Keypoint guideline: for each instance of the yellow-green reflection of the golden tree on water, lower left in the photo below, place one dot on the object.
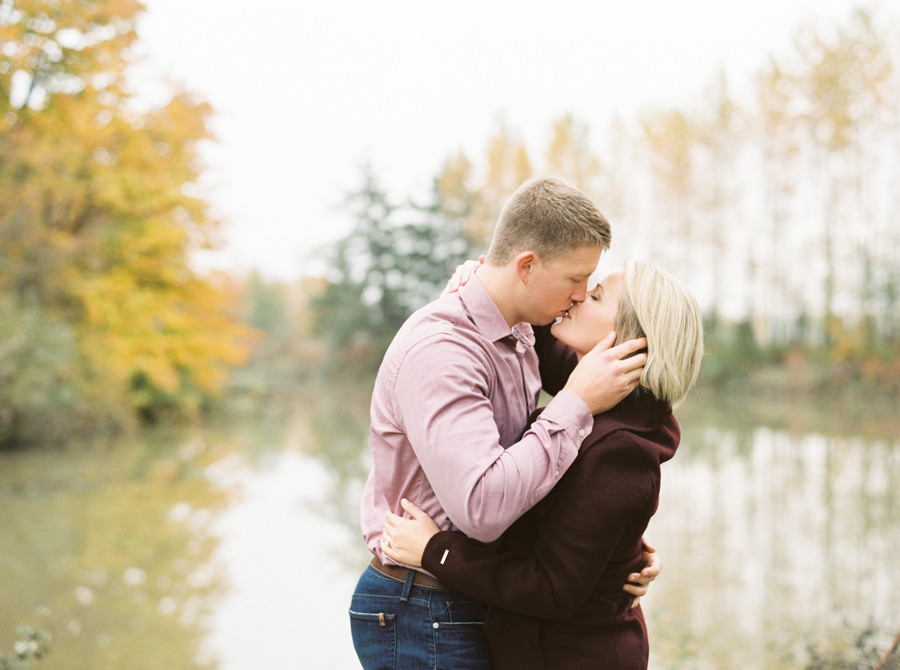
(108, 547)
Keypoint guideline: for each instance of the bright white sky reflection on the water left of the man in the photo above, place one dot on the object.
(291, 570)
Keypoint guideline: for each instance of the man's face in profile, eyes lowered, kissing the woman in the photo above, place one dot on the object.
(556, 284)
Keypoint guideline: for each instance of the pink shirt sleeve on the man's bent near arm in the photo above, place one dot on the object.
(449, 420)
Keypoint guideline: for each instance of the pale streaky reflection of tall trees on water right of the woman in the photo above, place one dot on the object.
(774, 546)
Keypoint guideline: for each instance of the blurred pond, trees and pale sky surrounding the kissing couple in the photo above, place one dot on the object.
(214, 217)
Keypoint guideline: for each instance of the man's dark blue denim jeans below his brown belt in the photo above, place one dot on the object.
(399, 626)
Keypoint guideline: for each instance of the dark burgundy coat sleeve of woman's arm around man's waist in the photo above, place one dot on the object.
(600, 495)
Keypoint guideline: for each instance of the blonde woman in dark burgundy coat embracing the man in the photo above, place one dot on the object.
(554, 584)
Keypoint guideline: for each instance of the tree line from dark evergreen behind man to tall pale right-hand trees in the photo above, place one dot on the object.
(780, 209)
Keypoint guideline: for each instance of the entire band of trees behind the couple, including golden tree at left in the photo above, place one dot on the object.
(779, 208)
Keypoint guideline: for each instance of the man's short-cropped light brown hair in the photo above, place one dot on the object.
(548, 216)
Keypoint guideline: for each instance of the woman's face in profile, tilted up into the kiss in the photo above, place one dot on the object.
(585, 324)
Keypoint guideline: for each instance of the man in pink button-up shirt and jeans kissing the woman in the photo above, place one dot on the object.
(449, 415)
